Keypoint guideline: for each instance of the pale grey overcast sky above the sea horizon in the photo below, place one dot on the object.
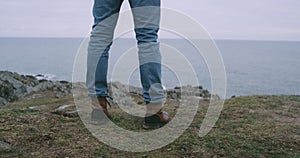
(224, 19)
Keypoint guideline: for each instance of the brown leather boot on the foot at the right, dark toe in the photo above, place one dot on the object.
(156, 121)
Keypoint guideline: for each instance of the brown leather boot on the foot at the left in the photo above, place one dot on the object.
(99, 111)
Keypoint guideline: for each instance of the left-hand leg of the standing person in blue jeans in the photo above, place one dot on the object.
(105, 19)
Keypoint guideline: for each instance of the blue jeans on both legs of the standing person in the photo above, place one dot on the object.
(146, 22)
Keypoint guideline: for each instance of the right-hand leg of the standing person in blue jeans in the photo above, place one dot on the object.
(146, 15)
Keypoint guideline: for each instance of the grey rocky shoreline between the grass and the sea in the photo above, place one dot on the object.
(14, 86)
